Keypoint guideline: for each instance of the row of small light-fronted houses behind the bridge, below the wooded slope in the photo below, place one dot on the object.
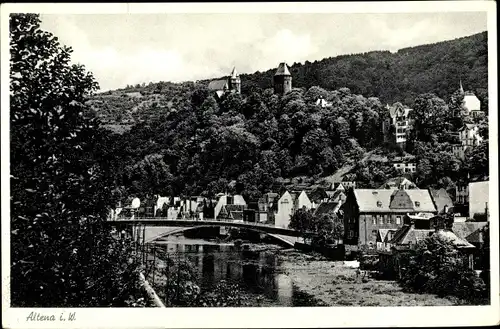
(271, 208)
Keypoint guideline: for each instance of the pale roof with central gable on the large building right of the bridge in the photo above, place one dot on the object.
(379, 200)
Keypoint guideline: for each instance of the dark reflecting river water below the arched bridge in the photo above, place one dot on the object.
(256, 268)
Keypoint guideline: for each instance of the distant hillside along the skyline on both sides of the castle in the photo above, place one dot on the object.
(391, 77)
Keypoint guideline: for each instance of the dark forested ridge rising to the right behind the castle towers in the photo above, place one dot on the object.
(401, 76)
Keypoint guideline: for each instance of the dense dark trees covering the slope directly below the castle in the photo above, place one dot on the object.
(251, 140)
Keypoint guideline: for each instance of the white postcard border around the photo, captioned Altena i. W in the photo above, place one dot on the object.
(279, 317)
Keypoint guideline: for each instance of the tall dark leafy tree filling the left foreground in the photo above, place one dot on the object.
(61, 254)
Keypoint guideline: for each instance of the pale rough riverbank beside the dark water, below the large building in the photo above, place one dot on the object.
(333, 284)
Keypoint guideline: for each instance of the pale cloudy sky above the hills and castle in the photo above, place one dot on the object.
(121, 49)
